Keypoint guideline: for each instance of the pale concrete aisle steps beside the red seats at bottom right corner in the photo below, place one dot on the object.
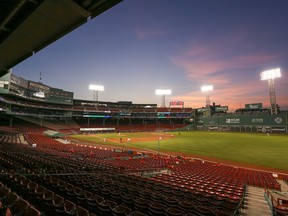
(255, 203)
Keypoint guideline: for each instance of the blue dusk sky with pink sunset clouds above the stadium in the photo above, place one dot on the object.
(139, 46)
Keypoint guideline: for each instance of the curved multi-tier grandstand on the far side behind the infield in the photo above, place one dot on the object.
(56, 109)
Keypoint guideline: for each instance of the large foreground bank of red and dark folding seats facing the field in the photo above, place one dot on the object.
(72, 179)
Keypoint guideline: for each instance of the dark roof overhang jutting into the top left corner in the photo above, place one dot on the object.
(27, 26)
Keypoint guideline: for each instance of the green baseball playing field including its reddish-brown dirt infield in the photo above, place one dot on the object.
(255, 149)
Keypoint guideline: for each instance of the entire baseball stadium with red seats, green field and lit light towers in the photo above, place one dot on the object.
(65, 156)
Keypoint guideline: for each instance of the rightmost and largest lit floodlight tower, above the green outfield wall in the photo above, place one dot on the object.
(270, 75)
